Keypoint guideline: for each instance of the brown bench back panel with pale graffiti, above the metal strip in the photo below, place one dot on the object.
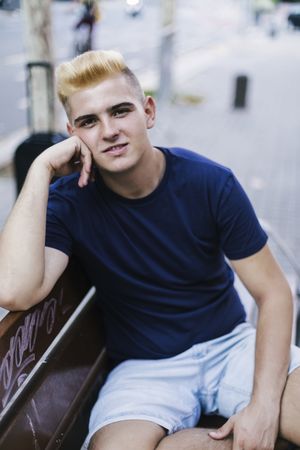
(24, 337)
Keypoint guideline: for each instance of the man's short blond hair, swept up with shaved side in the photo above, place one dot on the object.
(89, 69)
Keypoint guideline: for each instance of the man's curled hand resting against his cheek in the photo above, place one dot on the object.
(66, 157)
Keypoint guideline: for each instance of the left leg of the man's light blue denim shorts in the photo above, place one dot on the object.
(159, 391)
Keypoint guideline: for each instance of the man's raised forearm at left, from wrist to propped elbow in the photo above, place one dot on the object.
(22, 241)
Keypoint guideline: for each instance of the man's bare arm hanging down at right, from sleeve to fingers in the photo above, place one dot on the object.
(256, 426)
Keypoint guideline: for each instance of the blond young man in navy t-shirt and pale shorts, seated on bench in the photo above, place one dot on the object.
(152, 227)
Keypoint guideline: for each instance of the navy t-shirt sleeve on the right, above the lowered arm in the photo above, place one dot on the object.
(241, 234)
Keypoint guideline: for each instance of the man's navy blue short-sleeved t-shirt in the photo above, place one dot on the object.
(158, 262)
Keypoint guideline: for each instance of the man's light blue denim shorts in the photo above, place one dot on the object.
(214, 377)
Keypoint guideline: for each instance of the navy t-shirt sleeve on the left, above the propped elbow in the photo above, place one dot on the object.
(57, 234)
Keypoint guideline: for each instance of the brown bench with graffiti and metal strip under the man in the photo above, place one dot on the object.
(52, 363)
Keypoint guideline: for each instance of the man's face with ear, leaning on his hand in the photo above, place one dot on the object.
(112, 121)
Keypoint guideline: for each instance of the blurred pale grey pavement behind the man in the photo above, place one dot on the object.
(260, 143)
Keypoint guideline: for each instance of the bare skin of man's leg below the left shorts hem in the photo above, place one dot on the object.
(128, 435)
